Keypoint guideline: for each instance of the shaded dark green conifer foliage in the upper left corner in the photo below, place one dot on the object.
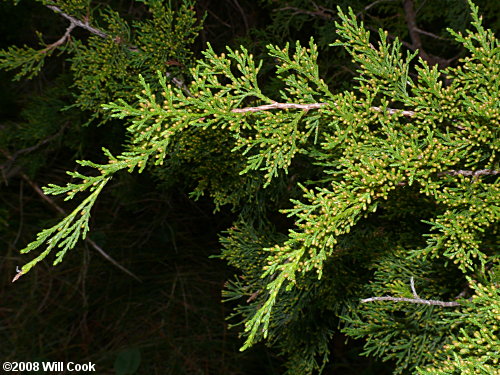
(106, 65)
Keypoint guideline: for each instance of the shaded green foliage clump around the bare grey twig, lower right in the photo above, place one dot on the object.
(407, 333)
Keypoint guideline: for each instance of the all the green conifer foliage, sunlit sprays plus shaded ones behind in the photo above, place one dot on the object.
(394, 190)
